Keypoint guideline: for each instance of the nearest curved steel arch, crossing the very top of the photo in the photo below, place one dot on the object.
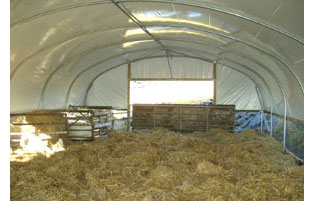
(214, 8)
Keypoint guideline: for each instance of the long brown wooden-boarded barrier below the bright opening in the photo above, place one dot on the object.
(180, 118)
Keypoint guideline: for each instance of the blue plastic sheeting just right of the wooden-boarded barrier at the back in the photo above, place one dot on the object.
(253, 120)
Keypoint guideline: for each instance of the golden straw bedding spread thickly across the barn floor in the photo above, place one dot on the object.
(163, 165)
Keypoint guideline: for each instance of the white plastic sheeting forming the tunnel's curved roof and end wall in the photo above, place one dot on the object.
(75, 52)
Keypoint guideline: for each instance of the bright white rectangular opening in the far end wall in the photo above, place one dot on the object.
(172, 92)
